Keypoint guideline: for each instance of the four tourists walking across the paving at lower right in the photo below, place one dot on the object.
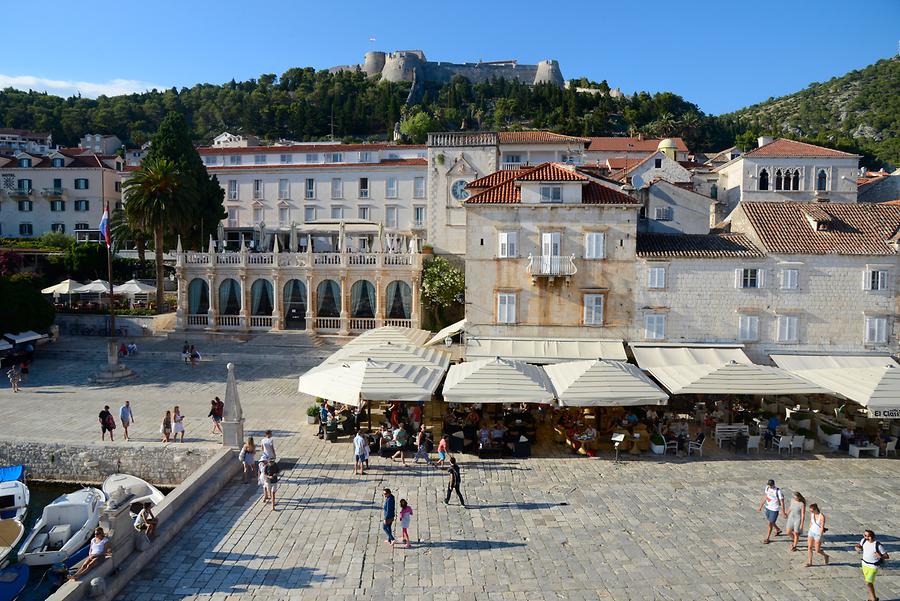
(873, 552)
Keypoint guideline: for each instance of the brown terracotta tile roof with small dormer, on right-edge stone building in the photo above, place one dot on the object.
(851, 229)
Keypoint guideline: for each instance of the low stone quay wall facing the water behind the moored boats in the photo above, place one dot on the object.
(159, 464)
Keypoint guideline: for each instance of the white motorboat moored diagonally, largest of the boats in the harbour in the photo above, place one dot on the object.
(66, 525)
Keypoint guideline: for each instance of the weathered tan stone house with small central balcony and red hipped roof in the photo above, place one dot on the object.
(549, 254)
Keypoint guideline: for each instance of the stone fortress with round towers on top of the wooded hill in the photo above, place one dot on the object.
(411, 65)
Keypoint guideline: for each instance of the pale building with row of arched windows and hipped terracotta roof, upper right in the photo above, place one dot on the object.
(787, 170)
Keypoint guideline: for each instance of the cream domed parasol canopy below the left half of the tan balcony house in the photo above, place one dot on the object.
(497, 381)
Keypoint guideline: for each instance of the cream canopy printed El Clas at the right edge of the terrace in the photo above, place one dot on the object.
(872, 381)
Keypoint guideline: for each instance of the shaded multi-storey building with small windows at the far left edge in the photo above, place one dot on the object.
(60, 192)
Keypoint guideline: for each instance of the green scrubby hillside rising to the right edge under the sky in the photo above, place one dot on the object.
(858, 110)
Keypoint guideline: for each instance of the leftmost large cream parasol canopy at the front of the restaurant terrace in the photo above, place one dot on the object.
(371, 380)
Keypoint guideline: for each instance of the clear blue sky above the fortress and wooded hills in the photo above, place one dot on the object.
(721, 55)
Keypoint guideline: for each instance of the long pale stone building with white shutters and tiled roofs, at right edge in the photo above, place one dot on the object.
(786, 277)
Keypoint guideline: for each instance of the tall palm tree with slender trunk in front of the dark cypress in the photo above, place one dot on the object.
(157, 200)
